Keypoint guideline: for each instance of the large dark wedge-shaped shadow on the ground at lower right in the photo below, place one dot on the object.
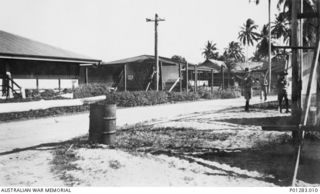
(275, 161)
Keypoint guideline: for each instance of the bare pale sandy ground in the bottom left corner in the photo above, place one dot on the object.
(28, 168)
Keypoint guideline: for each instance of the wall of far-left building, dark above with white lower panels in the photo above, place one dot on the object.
(26, 72)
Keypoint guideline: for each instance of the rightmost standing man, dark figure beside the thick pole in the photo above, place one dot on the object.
(282, 86)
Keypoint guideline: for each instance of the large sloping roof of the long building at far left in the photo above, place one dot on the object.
(18, 47)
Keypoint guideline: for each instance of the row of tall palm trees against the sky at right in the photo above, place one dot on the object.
(250, 36)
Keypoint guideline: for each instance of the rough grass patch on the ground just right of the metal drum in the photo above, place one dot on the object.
(181, 140)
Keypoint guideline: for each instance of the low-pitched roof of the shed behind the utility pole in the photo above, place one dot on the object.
(139, 59)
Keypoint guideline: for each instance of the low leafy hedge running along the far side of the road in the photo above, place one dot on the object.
(125, 99)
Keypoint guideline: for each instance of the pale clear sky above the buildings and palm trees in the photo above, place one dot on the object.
(117, 29)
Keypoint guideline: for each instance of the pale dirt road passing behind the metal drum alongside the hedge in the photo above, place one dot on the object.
(22, 134)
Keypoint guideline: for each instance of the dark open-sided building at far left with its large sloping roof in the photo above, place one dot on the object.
(22, 58)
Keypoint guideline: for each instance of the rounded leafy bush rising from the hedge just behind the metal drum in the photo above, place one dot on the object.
(89, 90)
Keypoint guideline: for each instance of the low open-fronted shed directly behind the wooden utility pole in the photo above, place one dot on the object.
(133, 74)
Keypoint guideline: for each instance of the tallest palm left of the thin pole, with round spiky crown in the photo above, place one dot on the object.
(248, 34)
